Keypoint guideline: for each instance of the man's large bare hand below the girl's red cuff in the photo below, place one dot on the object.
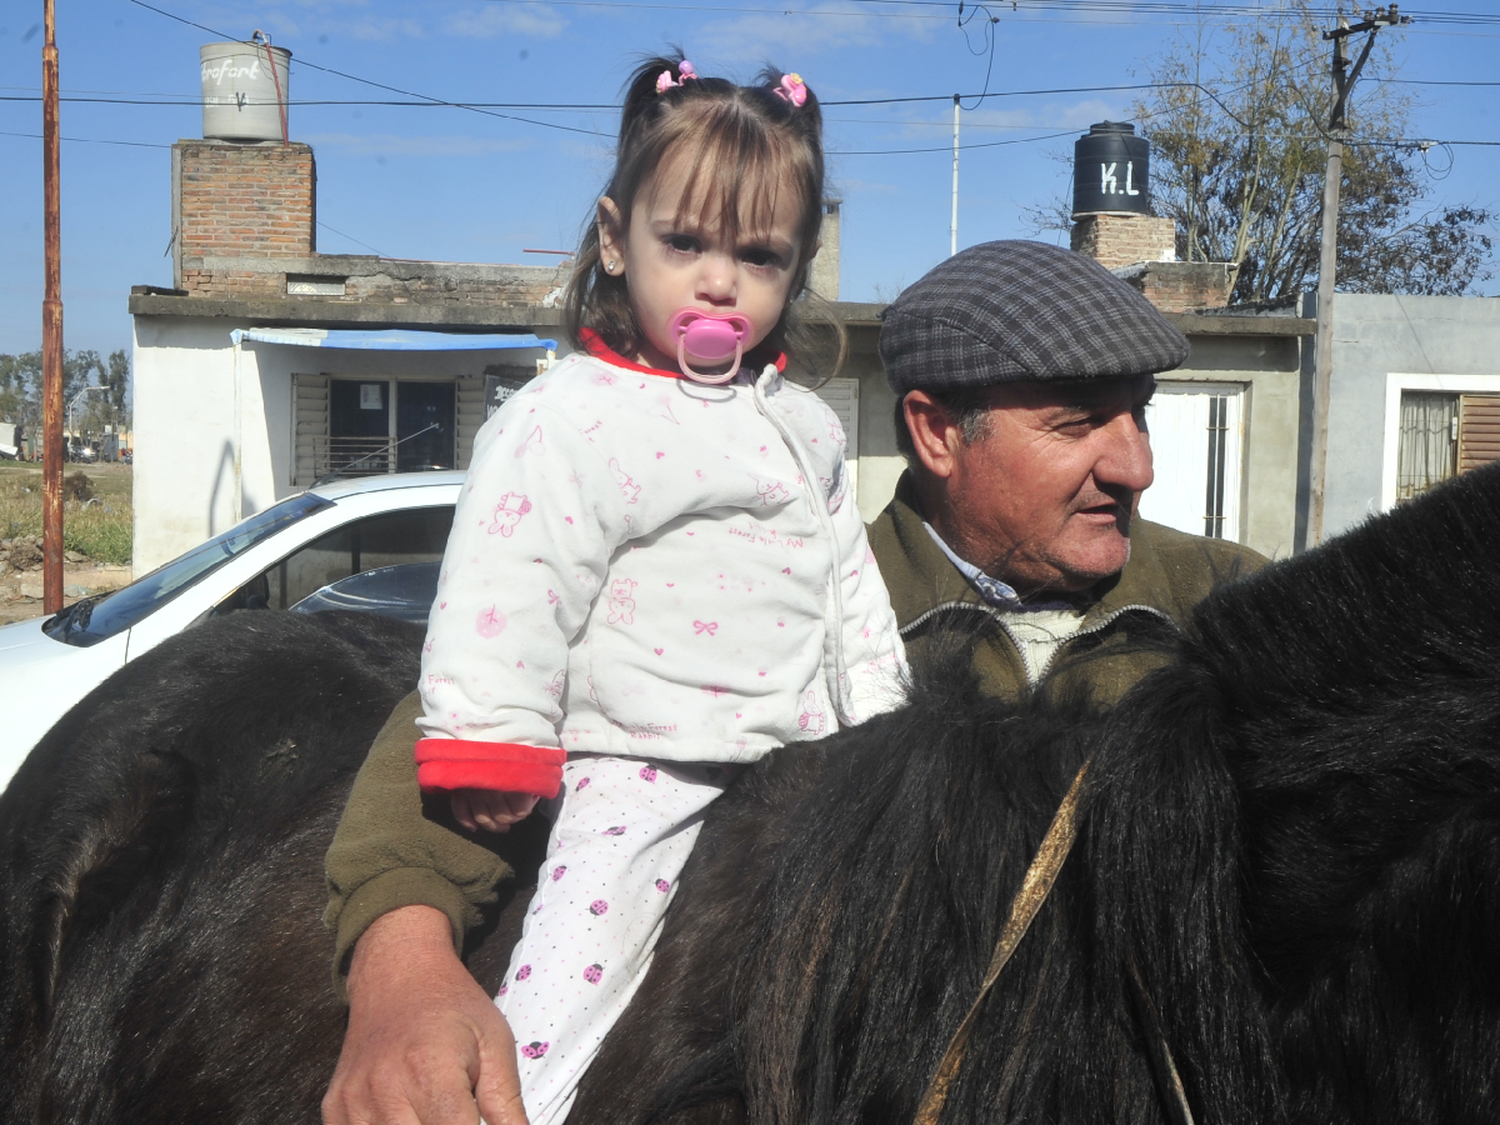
(425, 1043)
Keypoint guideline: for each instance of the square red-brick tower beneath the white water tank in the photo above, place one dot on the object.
(248, 202)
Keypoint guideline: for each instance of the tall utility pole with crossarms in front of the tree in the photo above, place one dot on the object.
(1345, 80)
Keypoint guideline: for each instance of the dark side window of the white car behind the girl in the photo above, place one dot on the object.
(385, 541)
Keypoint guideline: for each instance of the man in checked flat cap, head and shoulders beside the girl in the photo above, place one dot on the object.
(1024, 373)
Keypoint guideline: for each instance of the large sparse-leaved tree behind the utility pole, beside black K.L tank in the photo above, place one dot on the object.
(1238, 158)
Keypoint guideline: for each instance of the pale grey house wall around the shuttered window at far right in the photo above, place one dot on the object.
(1381, 346)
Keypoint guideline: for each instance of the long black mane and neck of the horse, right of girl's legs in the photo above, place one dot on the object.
(1315, 766)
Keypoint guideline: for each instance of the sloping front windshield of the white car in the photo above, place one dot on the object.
(92, 620)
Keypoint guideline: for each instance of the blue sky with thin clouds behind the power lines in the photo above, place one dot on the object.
(446, 184)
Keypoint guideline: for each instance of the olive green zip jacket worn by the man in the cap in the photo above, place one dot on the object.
(394, 850)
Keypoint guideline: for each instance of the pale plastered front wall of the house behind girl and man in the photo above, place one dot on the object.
(185, 443)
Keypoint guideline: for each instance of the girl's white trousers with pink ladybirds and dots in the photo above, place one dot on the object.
(622, 833)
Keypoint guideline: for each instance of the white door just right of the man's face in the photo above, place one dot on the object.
(1198, 445)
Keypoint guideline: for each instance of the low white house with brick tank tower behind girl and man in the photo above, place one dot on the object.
(271, 365)
